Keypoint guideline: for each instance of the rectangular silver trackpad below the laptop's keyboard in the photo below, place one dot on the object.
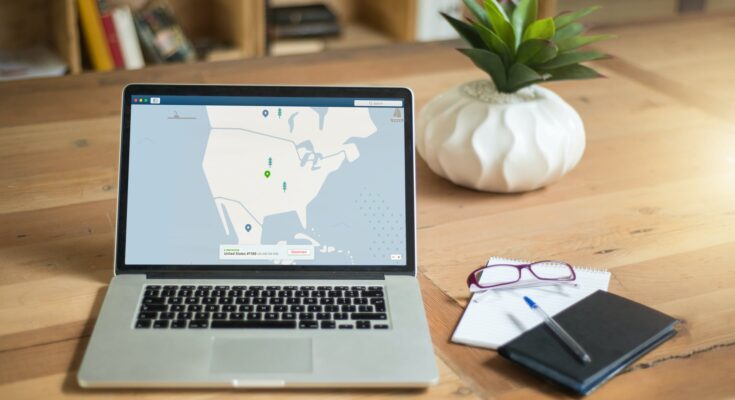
(261, 355)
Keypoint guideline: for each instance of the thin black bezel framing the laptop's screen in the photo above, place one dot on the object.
(267, 91)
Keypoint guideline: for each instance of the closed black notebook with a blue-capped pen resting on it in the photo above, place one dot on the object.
(613, 330)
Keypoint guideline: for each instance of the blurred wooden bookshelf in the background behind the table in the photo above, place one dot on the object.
(237, 29)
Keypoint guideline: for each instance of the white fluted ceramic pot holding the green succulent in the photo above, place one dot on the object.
(482, 139)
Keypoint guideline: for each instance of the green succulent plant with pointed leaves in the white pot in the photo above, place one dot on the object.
(517, 49)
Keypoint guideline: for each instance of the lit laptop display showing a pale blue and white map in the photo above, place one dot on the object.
(223, 180)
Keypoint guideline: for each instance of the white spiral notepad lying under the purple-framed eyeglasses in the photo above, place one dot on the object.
(495, 317)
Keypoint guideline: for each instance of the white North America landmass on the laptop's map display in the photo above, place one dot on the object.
(263, 161)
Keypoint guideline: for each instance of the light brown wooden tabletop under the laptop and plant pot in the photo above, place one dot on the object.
(653, 200)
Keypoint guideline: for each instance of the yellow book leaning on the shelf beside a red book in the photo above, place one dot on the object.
(94, 36)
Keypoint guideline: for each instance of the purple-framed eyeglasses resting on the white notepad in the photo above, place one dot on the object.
(496, 275)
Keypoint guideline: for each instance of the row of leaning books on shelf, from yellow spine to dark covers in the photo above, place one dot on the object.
(117, 38)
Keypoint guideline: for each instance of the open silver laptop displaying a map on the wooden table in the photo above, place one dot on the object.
(265, 238)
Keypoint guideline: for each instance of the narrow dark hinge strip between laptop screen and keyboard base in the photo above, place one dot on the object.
(315, 275)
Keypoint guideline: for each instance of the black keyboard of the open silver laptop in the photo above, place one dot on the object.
(262, 307)
